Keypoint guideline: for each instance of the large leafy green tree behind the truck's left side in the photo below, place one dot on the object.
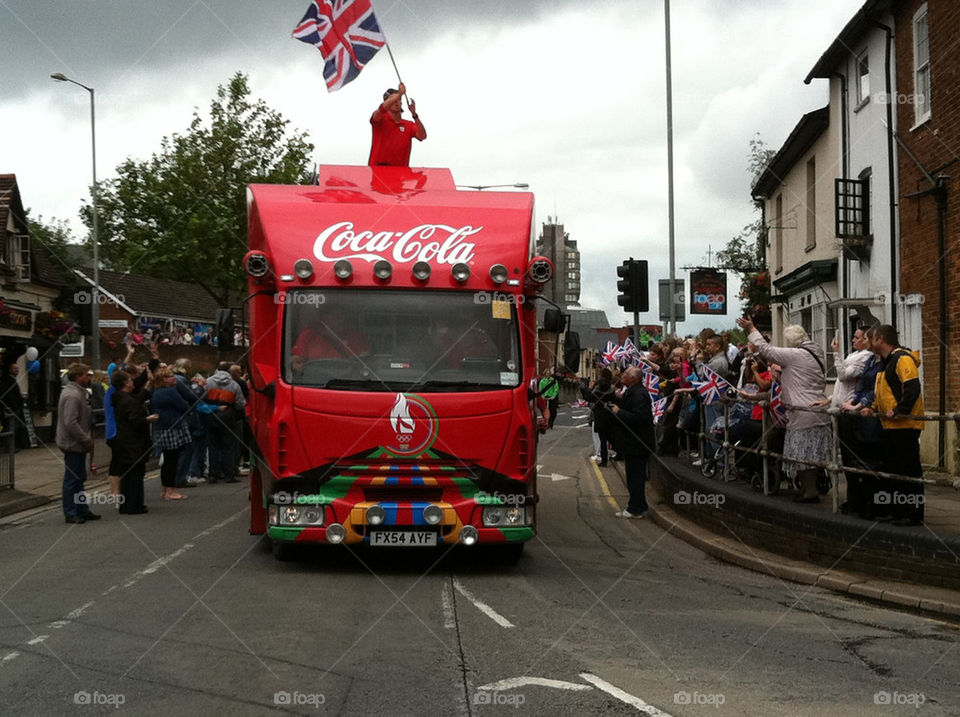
(182, 213)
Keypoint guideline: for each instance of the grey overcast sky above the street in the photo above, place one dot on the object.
(566, 96)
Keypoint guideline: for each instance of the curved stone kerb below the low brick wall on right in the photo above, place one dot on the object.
(730, 550)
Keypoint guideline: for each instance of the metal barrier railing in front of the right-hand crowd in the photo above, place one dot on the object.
(836, 468)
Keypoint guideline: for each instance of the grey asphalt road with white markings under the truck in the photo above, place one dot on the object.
(182, 612)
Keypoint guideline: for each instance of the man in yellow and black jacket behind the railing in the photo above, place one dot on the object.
(898, 397)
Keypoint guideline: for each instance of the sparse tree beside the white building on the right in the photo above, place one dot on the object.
(745, 253)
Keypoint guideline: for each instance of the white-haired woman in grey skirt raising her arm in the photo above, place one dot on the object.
(802, 383)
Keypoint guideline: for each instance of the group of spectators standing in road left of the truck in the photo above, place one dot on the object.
(196, 426)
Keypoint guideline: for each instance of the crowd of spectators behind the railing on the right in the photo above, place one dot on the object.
(876, 397)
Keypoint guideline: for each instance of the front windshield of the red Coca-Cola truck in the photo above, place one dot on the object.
(373, 340)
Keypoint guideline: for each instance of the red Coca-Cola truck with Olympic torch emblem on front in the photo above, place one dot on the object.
(392, 332)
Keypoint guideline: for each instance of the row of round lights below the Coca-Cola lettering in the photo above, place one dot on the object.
(539, 271)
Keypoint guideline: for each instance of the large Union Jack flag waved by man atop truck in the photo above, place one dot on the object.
(346, 33)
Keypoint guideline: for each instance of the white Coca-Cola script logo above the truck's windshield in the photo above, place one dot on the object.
(433, 243)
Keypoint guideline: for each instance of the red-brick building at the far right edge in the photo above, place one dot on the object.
(928, 121)
